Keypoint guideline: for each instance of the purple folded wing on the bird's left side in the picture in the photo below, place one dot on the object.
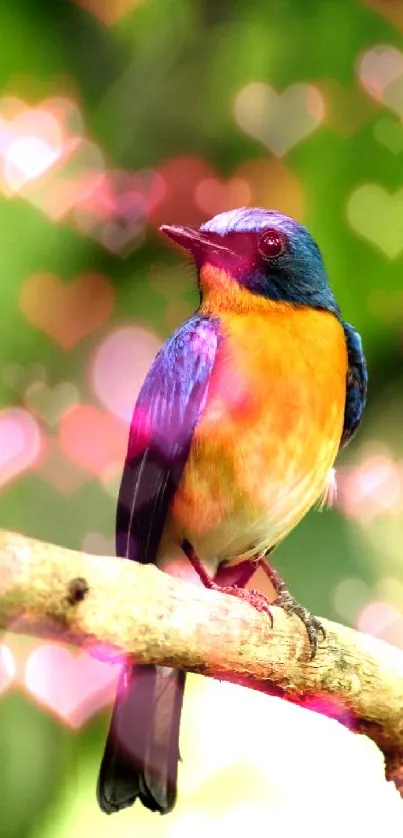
(165, 416)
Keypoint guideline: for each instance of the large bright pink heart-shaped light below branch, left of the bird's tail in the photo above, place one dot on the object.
(73, 685)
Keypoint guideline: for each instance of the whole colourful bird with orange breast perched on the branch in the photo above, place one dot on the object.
(234, 433)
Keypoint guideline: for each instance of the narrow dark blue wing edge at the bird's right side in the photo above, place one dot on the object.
(357, 379)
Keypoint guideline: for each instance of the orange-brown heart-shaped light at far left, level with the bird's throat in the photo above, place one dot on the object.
(67, 311)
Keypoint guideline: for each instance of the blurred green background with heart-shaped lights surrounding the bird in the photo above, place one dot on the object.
(114, 118)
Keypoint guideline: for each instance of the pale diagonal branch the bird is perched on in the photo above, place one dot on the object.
(86, 600)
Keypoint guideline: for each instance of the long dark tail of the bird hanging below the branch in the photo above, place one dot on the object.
(142, 749)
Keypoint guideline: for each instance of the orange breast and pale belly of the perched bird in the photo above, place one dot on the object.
(270, 430)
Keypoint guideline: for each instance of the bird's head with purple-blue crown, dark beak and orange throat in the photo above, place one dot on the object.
(261, 252)
